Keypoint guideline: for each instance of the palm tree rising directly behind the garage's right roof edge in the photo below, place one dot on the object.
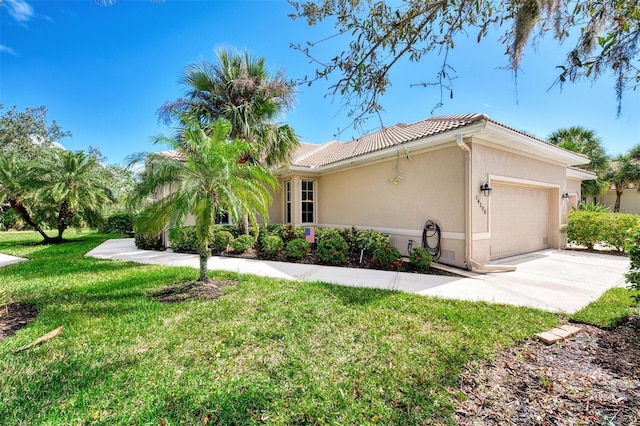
(585, 141)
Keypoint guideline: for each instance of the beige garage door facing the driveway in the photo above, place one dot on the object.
(519, 220)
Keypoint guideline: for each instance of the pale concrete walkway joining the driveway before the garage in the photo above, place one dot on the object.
(553, 280)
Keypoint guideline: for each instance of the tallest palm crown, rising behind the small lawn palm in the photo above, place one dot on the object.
(238, 88)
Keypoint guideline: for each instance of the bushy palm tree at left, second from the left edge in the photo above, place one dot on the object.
(72, 187)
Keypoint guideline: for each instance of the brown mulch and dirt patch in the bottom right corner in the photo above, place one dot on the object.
(591, 378)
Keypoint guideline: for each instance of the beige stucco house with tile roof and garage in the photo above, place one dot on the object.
(397, 179)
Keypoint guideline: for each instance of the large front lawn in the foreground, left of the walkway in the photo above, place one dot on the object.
(268, 351)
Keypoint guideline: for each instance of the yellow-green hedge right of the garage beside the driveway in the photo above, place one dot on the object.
(587, 228)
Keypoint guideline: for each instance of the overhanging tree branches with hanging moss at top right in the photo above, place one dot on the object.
(380, 33)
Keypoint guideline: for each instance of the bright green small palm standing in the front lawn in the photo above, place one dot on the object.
(207, 179)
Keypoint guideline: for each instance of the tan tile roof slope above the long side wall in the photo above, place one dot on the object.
(397, 134)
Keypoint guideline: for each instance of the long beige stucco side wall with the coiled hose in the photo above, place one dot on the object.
(431, 187)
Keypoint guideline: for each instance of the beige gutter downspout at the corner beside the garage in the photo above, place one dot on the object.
(470, 263)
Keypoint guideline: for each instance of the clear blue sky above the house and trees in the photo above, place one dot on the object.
(103, 71)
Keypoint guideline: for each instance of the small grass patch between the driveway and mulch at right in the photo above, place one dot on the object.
(609, 311)
